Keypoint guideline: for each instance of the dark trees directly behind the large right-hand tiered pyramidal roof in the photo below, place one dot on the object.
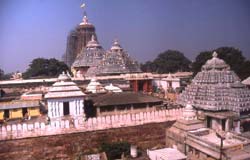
(232, 56)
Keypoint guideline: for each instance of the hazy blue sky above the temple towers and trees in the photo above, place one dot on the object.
(145, 28)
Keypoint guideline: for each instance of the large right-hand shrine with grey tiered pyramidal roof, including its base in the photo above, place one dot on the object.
(219, 96)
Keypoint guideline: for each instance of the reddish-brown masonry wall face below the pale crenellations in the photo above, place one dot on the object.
(71, 146)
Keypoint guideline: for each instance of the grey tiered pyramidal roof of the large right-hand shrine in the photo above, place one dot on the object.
(216, 88)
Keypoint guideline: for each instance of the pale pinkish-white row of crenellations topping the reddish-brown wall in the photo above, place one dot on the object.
(78, 124)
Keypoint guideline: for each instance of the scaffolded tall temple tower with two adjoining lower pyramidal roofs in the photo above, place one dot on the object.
(87, 58)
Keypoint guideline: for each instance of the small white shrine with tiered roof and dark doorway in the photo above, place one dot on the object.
(65, 98)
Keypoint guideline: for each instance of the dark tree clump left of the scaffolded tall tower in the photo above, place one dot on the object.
(41, 67)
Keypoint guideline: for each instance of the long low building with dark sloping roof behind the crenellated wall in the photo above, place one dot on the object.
(123, 103)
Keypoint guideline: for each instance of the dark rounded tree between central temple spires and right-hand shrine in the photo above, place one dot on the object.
(168, 61)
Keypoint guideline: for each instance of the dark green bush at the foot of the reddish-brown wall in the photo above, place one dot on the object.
(115, 150)
